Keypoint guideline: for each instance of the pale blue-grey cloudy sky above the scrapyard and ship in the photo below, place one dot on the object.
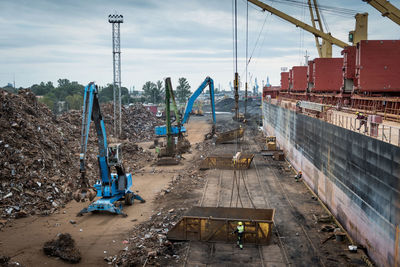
(45, 40)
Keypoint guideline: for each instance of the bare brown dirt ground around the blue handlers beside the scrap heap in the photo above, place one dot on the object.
(97, 235)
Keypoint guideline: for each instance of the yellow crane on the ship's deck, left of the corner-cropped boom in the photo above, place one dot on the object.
(325, 49)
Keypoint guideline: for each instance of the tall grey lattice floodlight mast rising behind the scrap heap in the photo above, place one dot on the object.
(116, 20)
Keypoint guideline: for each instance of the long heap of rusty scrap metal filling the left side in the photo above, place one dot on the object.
(39, 153)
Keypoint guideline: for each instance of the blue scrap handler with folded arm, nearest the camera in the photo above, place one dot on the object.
(111, 187)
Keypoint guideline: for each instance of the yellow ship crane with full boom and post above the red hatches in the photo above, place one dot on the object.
(325, 49)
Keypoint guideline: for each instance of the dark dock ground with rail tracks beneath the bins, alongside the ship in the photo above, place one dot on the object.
(294, 240)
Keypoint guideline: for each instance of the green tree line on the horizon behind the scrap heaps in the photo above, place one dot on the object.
(71, 93)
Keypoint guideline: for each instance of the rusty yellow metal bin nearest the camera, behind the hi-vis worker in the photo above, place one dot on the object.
(209, 224)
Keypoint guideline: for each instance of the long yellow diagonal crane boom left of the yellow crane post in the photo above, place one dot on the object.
(326, 36)
